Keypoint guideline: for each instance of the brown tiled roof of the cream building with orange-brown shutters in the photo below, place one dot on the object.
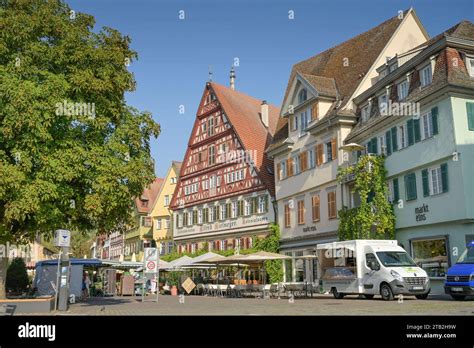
(360, 53)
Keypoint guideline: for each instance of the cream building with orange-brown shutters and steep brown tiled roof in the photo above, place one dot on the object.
(317, 115)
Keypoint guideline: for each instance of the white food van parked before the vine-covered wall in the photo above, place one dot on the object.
(370, 267)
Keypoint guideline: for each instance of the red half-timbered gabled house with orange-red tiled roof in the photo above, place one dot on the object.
(224, 197)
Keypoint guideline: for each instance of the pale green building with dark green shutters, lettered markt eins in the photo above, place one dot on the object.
(420, 116)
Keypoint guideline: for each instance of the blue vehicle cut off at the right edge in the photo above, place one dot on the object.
(460, 278)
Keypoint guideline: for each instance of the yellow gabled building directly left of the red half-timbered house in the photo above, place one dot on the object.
(160, 212)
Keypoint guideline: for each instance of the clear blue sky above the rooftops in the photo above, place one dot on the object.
(174, 54)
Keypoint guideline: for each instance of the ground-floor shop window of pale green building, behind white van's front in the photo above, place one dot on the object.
(431, 255)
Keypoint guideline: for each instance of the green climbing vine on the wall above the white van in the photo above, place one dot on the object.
(374, 218)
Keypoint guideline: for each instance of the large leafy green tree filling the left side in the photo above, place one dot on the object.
(73, 154)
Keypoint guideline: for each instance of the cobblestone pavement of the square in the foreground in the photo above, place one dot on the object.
(318, 305)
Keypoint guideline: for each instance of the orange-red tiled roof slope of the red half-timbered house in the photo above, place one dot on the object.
(243, 112)
